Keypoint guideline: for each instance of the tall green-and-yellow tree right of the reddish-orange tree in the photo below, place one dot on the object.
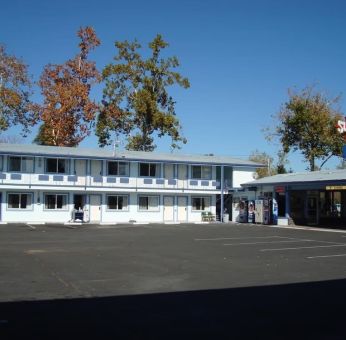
(135, 98)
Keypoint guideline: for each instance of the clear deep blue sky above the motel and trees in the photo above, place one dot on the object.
(241, 57)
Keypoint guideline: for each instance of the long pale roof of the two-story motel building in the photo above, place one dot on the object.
(107, 154)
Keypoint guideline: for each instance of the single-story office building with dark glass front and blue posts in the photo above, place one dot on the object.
(310, 198)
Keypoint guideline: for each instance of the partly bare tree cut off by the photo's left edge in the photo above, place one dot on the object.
(15, 90)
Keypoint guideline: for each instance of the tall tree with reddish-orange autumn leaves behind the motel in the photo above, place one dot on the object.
(68, 113)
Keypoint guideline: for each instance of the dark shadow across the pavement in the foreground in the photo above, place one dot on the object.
(315, 310)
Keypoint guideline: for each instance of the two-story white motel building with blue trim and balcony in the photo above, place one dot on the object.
(49, 184)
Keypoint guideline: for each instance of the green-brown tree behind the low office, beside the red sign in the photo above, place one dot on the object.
(307, 122)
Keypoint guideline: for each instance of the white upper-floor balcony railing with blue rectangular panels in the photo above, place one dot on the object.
(106, 181)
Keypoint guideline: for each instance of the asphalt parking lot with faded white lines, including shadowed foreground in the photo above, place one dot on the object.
(169, 281)
